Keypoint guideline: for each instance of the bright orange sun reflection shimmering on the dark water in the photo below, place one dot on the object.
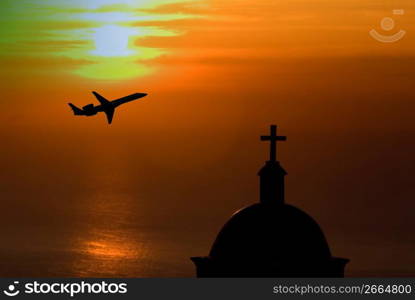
(108, 246)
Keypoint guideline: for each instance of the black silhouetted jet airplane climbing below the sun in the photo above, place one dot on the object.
(108, 107)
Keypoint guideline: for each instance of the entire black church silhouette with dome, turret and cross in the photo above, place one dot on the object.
(270, 238)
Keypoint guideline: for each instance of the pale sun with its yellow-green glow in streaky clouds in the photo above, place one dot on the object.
(104, 36)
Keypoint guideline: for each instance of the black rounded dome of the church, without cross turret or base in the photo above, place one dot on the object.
(272, 233)
